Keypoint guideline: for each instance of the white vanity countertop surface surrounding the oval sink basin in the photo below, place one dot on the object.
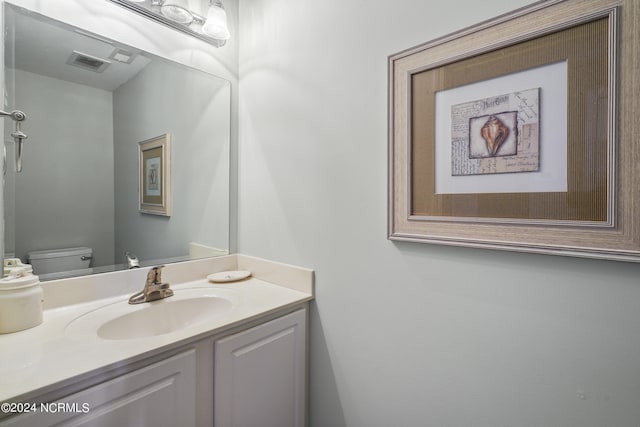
(48, 353)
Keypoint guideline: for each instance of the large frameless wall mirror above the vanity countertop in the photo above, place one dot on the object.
(90, 102)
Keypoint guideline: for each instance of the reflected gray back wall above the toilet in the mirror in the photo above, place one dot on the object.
(68, 159)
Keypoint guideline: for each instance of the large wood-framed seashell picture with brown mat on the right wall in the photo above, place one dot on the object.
(520, 133)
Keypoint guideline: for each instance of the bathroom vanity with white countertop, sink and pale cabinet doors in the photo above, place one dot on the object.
(231, 354)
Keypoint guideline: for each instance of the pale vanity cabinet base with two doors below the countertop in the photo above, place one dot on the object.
(254, 377)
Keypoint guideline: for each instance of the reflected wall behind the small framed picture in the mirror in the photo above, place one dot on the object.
(194, 109)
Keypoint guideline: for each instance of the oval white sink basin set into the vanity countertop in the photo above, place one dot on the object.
(122, 321)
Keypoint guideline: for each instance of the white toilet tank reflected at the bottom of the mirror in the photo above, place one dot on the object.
(57, 260)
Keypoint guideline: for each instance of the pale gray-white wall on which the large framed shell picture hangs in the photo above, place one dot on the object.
(409, 334)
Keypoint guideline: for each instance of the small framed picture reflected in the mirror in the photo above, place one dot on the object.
(155, 175)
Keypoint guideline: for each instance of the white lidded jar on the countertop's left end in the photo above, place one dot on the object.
(20, 297)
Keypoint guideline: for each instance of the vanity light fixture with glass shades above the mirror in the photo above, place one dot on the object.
(190, 16)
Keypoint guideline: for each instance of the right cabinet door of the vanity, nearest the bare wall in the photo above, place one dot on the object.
(260, 375)
